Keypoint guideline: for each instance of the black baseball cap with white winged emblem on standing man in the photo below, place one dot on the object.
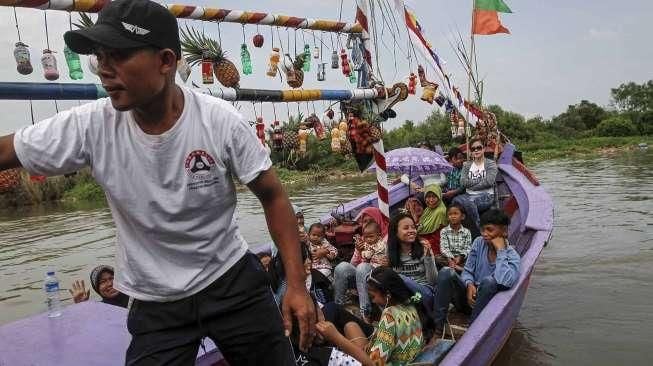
(128, 24)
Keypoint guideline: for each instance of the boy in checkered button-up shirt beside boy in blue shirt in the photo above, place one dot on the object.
(455, 239)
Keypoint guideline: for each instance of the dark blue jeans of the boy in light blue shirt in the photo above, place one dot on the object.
(452, 289)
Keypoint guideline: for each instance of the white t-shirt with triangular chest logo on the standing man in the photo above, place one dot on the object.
(171, 195)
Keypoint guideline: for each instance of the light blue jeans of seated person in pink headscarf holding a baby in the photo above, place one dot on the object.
(344, 275)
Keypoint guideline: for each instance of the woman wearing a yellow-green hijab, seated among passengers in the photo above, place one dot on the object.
(434, 217)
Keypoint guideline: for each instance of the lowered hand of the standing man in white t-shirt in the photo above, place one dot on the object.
(298, 304)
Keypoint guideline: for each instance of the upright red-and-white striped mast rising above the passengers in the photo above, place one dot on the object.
(362, 16)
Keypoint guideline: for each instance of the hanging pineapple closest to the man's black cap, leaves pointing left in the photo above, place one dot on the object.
(195, 44)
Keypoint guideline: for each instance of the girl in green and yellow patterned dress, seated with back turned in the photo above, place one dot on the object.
(401, 331)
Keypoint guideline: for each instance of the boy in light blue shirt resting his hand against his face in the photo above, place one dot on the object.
(492, 266)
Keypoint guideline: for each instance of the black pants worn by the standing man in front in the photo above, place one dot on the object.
(237, 312)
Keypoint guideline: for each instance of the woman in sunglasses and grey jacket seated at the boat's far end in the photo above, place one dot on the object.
(478, 178)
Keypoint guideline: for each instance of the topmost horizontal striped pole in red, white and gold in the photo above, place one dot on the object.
(200, 13)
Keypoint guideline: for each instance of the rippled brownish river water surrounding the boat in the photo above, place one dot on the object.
(589, 302)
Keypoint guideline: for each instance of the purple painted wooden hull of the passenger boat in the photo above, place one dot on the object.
(95, 334)
